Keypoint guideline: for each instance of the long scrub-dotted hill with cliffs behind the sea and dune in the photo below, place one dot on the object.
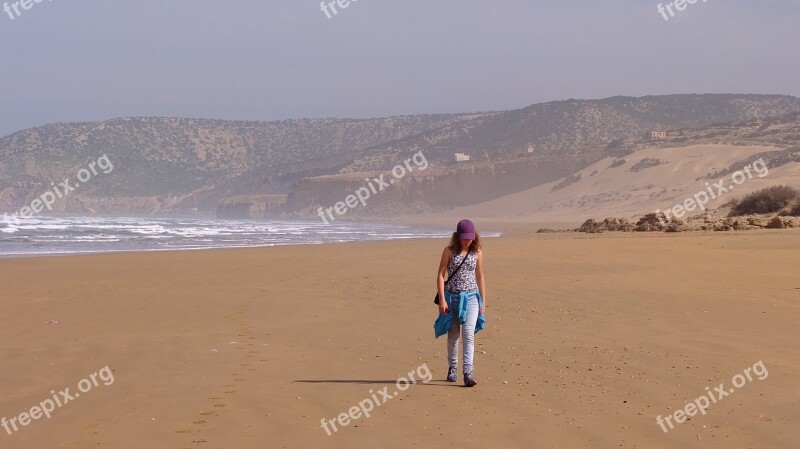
(185, 166)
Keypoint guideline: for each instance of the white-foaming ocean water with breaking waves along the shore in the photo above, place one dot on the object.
(73, 235)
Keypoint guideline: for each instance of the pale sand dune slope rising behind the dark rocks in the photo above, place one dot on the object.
(604, 191)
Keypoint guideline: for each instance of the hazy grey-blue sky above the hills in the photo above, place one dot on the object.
(79, 60)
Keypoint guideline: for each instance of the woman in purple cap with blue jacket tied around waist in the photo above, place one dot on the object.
(464, 295)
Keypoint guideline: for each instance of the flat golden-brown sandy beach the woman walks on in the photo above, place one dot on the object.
(589, 339)
